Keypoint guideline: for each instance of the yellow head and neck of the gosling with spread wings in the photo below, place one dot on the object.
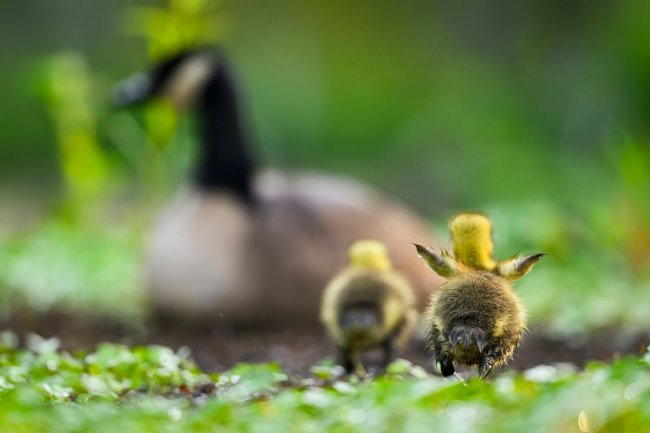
(471, 236)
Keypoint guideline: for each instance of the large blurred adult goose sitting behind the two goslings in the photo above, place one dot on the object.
(248, 247)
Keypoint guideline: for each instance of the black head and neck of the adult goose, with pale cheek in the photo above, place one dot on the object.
(201, 79)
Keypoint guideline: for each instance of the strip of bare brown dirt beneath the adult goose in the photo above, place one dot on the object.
(295, 349)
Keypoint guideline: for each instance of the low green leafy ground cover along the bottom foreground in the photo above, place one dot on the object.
(154, 389)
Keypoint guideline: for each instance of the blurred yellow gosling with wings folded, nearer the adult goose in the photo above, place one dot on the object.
(368, 304)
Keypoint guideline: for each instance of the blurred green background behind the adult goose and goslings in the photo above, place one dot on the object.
(535, 112)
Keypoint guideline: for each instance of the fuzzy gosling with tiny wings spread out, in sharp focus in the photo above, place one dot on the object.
(474, 318)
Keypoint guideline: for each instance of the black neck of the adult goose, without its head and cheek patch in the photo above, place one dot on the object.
(224, 159)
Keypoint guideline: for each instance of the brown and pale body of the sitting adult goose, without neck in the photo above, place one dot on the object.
(211, 258)
